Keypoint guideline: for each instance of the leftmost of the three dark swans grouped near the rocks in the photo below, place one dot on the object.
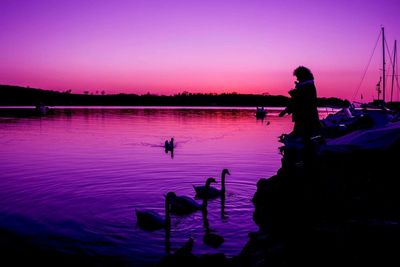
(151, 220)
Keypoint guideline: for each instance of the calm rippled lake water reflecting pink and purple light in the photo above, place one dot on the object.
(71, 181)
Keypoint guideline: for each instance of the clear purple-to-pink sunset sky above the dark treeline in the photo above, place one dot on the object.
(170, 46)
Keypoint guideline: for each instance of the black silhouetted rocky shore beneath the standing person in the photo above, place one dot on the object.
(324, 207)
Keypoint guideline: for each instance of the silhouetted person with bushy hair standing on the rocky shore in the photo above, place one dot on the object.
(303, 105)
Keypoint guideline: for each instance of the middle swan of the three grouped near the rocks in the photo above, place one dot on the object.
(183, 205)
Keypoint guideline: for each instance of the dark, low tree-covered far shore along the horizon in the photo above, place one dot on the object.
(22, 96)
